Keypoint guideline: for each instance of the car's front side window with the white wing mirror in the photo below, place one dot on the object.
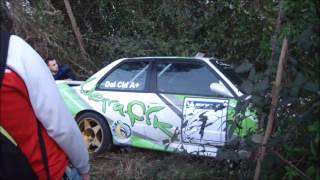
(188, 78)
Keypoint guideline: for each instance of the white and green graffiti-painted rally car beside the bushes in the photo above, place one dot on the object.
(175, 104)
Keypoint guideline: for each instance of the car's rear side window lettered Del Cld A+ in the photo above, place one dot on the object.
(129, 76)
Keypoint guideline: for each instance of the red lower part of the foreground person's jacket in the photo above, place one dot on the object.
(18, 118)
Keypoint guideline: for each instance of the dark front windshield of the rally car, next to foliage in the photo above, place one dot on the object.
(228, 71)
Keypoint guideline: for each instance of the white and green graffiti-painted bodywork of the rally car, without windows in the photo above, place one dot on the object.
(159, 121)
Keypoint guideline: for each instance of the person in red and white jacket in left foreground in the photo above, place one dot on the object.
(29, 94)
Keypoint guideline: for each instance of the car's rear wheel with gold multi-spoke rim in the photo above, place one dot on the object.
(96, 132)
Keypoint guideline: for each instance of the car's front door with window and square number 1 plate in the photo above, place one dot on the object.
(186, 87)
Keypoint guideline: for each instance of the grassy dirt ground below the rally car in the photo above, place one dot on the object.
(130, 163)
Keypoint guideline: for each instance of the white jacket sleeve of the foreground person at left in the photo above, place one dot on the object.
(47, 103)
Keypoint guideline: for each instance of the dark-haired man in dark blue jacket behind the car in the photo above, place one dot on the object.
(60, 72)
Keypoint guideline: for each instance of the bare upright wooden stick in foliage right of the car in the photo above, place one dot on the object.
(271, 118)
